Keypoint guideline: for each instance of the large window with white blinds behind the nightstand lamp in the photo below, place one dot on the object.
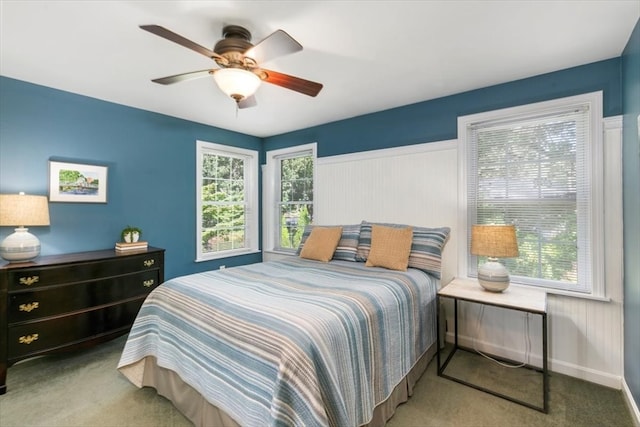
(539, 167)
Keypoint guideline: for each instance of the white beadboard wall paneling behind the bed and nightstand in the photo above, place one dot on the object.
(418, 185)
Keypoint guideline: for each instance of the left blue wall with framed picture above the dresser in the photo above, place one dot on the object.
(151, 178)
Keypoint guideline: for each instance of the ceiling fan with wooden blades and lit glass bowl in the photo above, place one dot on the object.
(240, 73)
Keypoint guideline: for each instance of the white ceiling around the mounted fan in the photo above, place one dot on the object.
(370, 55)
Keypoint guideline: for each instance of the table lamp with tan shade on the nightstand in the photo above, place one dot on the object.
(494, 241)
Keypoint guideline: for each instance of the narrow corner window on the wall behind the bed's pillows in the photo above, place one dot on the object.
(291, 173)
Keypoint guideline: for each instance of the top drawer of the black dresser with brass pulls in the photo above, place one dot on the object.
(30, 278)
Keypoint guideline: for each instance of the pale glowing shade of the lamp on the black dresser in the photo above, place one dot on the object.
(23, 209)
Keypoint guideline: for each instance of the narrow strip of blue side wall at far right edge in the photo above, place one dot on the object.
(631, 197)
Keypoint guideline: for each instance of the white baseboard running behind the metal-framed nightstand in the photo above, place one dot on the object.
(572, 370)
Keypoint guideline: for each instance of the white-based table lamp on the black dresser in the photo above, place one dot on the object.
(20, 210)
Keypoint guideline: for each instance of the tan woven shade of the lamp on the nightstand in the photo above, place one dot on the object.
(496, 241)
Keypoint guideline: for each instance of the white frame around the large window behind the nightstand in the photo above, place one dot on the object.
(595, 166)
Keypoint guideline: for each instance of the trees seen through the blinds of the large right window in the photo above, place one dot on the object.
(526, 176)
